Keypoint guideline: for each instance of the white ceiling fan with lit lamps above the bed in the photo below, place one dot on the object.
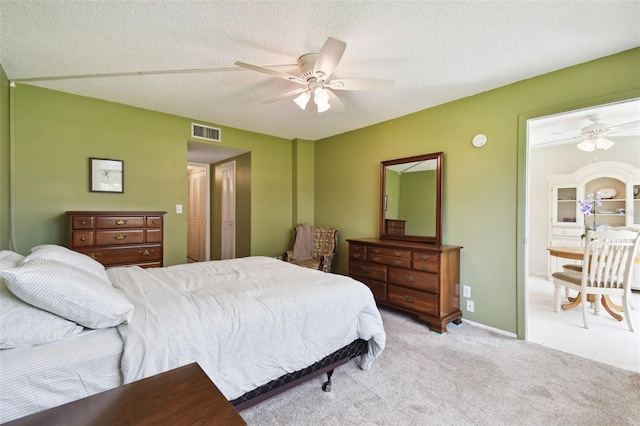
(315, 73)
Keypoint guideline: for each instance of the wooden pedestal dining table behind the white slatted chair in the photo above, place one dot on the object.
(577, 253)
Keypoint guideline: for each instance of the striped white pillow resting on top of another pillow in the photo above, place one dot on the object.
(70, 292)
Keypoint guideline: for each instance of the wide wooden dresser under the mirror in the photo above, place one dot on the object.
(423, 279)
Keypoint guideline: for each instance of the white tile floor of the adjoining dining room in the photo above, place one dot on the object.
(606, 340)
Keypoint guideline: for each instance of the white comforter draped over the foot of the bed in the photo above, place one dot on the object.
(245, 321)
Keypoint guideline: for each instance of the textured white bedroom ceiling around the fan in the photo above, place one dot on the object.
(436, 51)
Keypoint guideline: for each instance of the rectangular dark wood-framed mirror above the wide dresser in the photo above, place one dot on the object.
(411, 198)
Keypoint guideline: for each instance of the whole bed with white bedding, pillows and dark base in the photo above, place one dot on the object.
(255, 325)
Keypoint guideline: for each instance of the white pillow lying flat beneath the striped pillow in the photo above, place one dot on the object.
(24, 325)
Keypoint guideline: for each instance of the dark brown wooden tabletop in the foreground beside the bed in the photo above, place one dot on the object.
(184, 396)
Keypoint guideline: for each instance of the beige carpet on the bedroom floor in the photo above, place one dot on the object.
(468, 376)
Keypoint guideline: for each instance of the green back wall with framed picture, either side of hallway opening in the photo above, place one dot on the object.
(56, 133)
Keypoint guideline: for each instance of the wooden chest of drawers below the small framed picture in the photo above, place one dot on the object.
(118, 238)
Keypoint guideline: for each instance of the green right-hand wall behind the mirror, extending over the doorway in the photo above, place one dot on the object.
(481, 206)
